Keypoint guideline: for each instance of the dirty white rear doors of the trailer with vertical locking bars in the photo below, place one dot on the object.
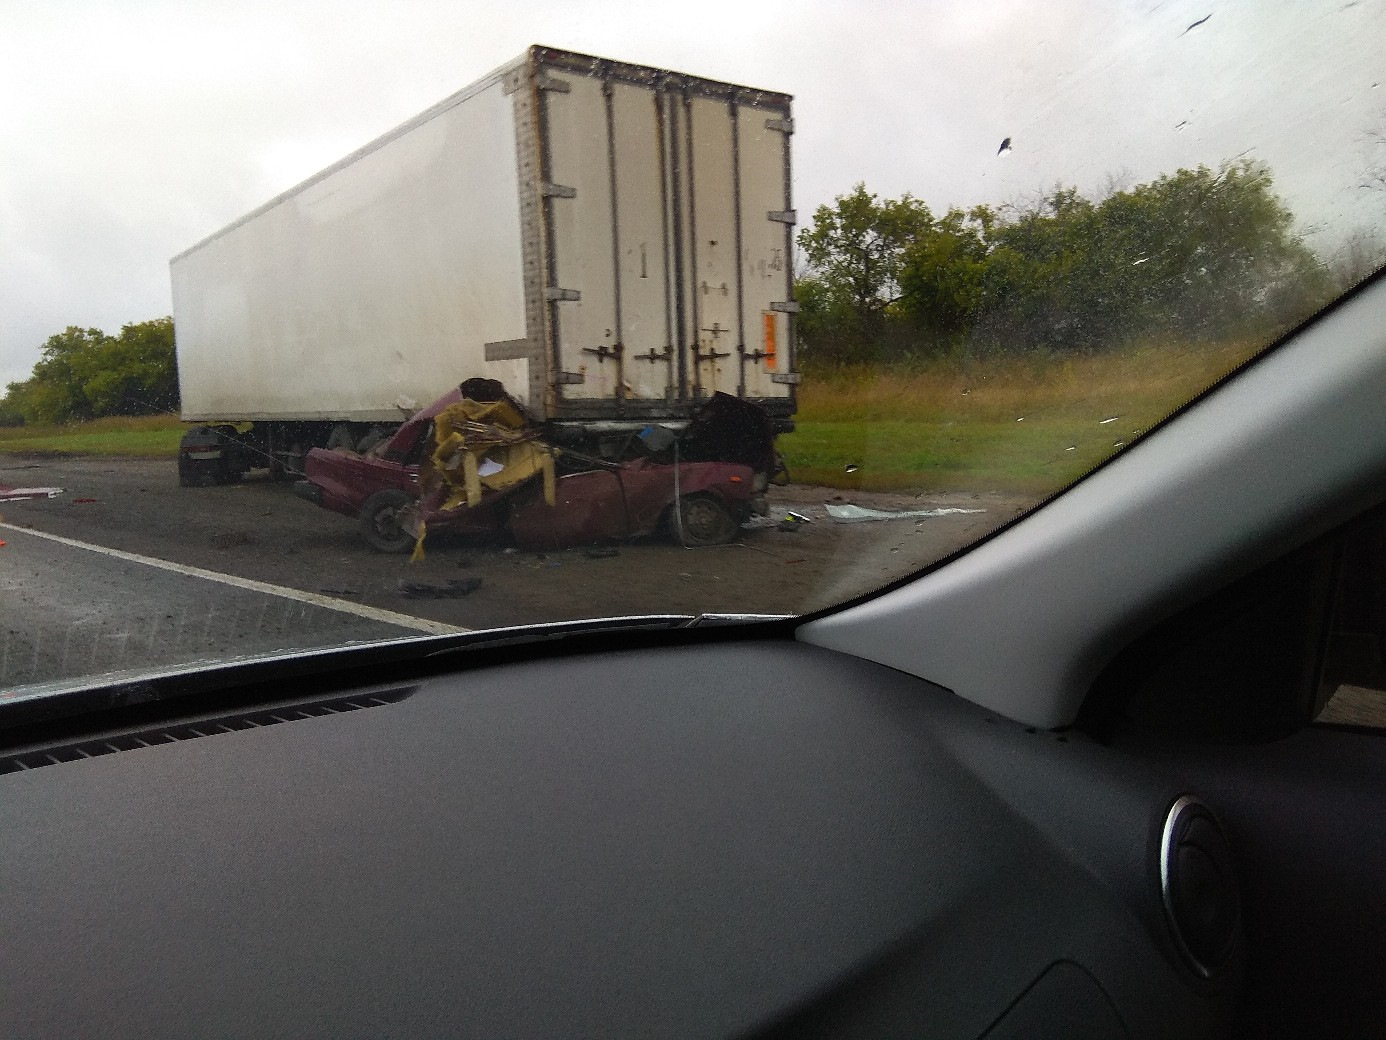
(667, 232)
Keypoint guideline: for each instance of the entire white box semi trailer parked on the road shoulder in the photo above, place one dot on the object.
(611, 242)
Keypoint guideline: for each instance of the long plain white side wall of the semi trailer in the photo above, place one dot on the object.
(376, 284)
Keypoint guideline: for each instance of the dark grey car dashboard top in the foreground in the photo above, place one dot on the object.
(724, 838)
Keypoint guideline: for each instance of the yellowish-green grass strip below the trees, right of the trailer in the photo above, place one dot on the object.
(1001, 425)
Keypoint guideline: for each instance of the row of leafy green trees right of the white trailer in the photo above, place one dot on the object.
(1191, 256)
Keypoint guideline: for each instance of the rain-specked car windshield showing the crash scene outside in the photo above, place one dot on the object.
(328, 328)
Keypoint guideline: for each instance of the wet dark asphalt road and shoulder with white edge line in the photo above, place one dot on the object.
(153, 575)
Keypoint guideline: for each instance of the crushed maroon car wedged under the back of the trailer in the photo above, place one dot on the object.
(716, 468)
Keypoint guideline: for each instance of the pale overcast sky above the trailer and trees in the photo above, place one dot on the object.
(132, 130)
